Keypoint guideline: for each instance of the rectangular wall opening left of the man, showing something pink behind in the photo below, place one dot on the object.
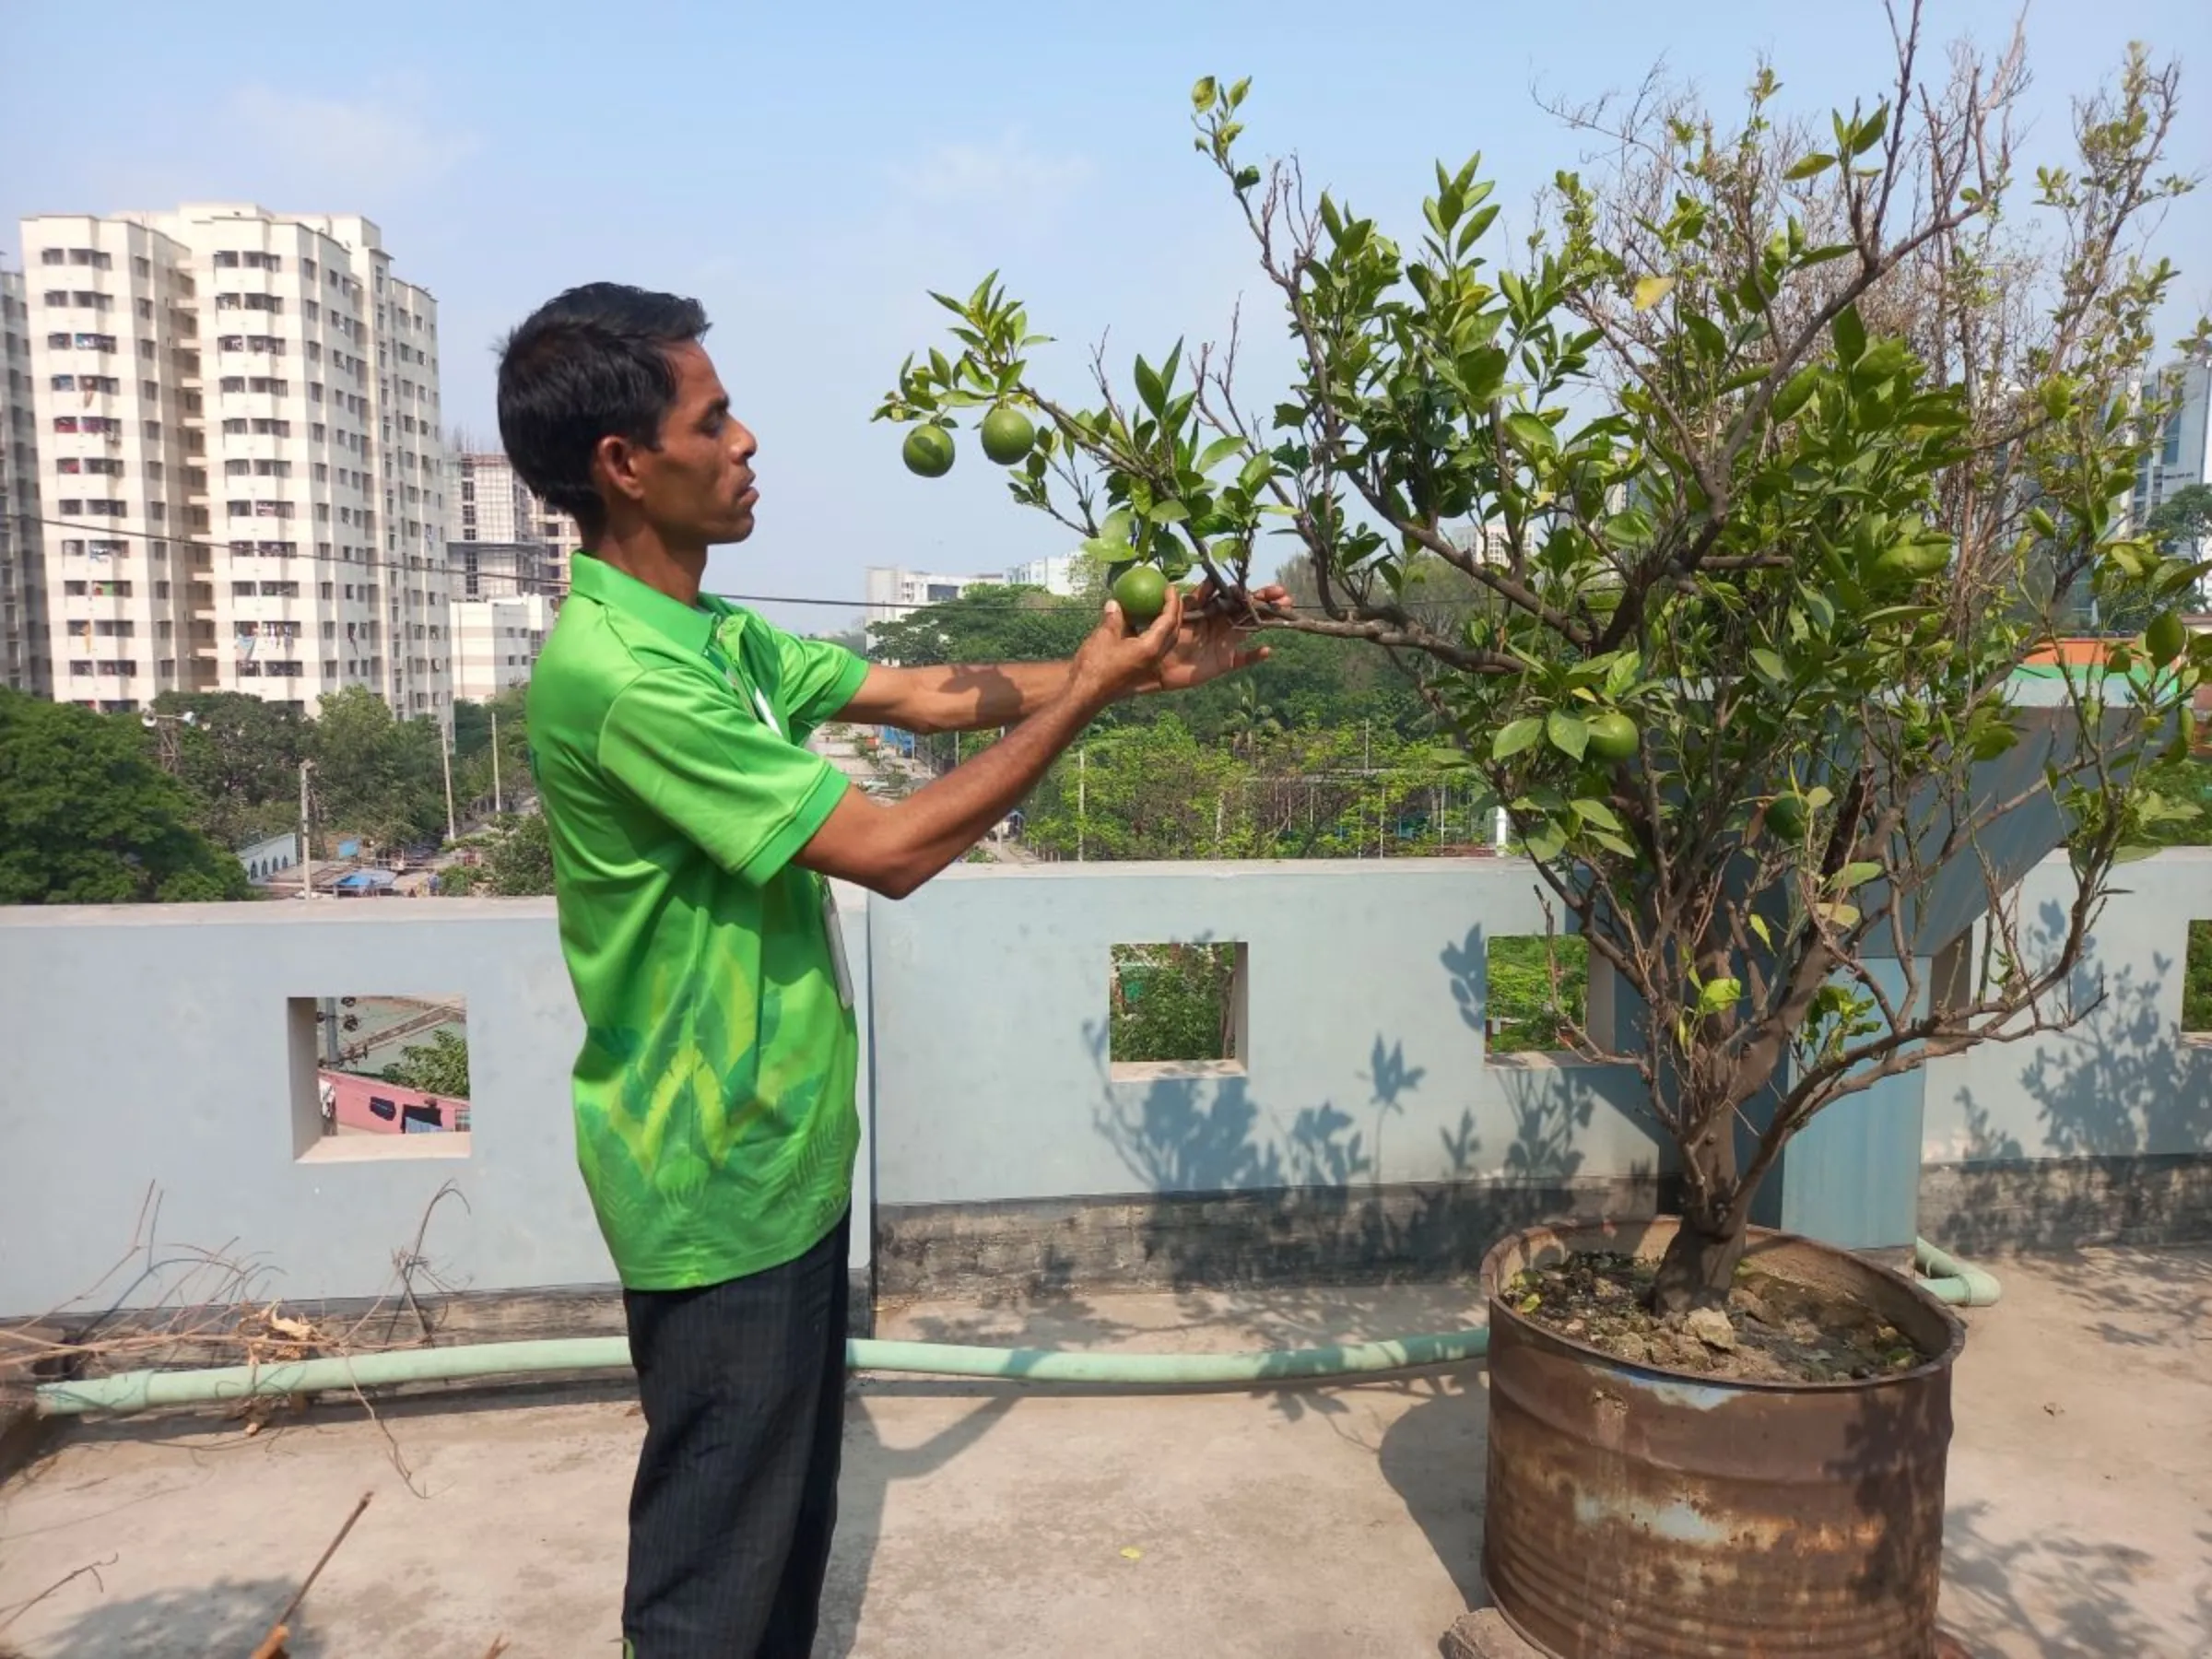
(379, 1076)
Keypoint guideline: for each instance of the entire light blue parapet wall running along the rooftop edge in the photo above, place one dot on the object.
(158, 1050)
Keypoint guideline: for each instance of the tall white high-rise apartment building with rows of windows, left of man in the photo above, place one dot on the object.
(240, 432)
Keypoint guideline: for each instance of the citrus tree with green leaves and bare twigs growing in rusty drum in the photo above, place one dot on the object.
(1775, 452)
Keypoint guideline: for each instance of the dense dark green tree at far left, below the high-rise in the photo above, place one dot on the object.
(90, 820)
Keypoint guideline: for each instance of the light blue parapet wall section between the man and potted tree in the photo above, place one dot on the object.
(1361, 1050)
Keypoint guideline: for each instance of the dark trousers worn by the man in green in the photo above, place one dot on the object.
(735, 1499)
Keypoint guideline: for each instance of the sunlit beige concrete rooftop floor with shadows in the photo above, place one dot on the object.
(1317, 1523)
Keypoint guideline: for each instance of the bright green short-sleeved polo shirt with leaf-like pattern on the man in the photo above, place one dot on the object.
(716, 1089)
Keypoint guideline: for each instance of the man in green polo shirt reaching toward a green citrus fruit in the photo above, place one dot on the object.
(693, 839)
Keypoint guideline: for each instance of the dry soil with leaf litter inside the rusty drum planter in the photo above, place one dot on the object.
(1773, 1331)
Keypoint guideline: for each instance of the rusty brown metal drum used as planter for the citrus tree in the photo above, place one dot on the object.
(1645, 1514)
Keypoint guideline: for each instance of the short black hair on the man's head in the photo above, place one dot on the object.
(587, 366)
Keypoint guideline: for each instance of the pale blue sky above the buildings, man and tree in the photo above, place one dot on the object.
(808, 171)
